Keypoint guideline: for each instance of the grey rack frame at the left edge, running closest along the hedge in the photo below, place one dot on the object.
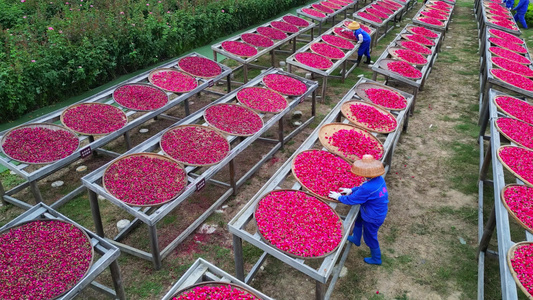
(89, 143)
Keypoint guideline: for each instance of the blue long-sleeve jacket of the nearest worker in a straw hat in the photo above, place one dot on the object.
(373, 197)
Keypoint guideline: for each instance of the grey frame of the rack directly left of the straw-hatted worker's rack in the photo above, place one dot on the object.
(152, 215)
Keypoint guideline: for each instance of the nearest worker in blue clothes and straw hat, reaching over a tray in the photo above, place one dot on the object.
(373, 197)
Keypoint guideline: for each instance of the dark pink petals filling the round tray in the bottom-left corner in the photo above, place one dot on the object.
(42, 259)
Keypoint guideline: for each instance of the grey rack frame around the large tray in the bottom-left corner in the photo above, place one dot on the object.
(108, 255)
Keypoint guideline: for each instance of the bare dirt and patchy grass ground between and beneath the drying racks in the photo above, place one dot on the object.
(429, 238)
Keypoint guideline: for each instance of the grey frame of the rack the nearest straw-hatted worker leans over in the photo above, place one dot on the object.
(330, 266)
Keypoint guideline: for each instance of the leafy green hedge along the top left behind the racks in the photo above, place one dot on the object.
(54, 50)
